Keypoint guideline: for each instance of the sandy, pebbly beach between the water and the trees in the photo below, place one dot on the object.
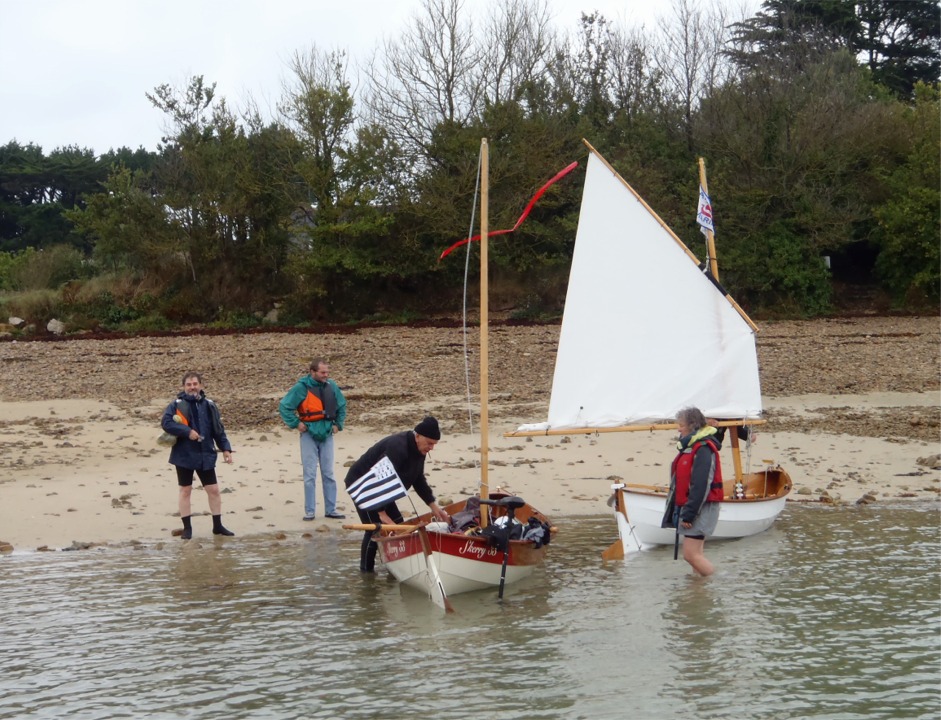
(852, 406)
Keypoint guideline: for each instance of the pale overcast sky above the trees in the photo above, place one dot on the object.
(74, 72)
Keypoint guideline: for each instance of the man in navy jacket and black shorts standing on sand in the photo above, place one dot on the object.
(195, 421)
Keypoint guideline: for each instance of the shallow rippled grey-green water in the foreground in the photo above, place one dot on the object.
(834, 613)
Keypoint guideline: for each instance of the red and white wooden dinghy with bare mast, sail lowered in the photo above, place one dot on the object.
(427, 555)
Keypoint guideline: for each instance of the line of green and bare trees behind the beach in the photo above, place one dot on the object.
(818, 120)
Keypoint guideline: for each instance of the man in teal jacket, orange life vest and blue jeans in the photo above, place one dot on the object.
(316, 408)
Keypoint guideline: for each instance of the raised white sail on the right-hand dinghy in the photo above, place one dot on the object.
(644, 333)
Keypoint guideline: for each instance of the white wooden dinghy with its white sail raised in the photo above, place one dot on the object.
(646, 332)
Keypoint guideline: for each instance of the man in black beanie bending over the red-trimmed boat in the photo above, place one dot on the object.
(406, 451)
